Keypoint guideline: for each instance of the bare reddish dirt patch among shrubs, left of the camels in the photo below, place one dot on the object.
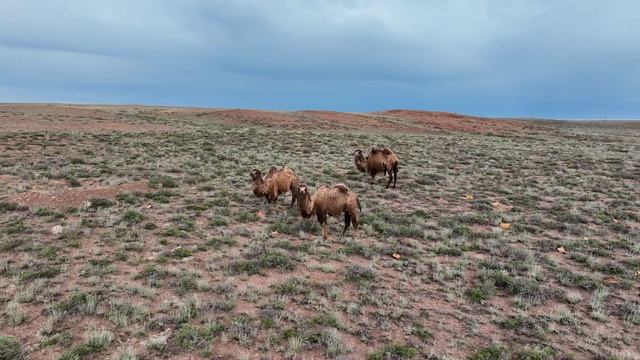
(65, 199)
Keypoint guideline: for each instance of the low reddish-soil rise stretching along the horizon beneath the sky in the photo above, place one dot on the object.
(101, 118)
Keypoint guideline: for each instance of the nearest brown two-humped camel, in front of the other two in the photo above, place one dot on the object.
(330, 201)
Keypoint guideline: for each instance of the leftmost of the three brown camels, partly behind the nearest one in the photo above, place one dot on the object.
(276, 182)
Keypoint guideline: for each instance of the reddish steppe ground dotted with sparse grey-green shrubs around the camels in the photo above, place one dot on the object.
(131, 232)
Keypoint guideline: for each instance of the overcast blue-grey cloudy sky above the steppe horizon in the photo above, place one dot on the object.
(545, 58)
